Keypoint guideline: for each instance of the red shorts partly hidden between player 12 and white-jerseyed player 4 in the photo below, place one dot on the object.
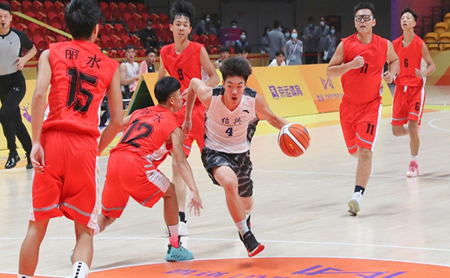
(198, 126)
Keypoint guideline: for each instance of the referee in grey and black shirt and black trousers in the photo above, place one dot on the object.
(12, 85)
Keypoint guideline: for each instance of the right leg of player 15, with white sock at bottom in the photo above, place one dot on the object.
(84, 250)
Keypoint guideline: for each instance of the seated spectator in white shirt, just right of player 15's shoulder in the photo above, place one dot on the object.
(129, 72)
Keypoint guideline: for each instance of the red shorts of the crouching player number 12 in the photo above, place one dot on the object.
(131, 175)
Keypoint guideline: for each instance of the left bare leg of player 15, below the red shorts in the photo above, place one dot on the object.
(29, 252)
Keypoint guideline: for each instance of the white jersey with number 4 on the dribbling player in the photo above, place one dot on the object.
(230, 131)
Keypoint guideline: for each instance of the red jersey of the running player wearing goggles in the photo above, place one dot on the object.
(362, 85)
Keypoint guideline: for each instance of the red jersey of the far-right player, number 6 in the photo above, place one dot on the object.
(410, 58)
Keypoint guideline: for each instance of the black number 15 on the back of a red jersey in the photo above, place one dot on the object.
(77, 92)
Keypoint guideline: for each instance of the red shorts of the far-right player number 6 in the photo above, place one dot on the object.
(408, 104)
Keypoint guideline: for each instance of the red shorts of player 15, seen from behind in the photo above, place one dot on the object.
(69, 183)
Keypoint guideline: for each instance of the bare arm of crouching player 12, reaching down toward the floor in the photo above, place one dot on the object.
(177, 138)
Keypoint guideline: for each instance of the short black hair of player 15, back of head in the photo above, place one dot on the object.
(81, 17)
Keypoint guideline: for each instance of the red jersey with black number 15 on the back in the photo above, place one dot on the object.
(81, 73)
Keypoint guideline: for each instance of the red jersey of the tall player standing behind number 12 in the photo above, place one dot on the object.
(183, 66)
